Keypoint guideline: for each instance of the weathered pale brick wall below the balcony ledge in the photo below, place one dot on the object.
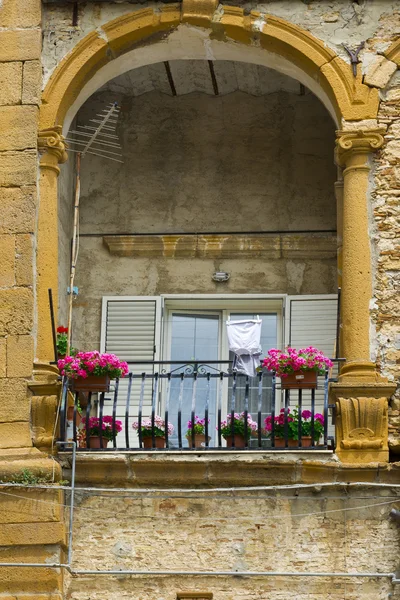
(309, 530)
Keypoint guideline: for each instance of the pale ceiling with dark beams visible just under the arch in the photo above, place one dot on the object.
(180, 77)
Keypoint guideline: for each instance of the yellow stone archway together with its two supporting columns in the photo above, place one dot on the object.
(109, 51)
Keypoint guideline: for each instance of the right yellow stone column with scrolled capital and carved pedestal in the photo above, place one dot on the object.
(361, 396)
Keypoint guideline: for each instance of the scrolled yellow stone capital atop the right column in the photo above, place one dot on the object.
(357, 142)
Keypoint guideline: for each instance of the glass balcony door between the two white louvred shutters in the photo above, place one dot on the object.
(198, 339)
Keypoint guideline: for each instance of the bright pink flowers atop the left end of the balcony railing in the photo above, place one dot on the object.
(84, 364)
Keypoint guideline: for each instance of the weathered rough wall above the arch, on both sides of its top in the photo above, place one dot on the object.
(336, 22)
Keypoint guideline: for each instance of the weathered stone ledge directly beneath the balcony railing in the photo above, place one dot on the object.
(200, 469)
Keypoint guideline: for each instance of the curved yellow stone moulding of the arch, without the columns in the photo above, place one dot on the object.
(351, 98)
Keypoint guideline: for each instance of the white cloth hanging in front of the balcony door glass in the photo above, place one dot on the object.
(244, 338)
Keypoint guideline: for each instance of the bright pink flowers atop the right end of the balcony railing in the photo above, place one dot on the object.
(305, 359)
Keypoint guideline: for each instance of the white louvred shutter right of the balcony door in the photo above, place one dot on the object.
(312, 321)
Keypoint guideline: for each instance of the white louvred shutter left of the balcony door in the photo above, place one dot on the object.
(131, 329)
